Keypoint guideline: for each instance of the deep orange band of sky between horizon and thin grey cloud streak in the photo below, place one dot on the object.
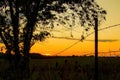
(55, 46)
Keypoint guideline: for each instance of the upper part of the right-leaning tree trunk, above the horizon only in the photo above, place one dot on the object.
(30, 27)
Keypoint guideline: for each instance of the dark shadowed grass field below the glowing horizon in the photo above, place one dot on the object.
(68, 68)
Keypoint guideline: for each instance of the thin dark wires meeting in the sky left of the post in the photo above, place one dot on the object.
(81, 38)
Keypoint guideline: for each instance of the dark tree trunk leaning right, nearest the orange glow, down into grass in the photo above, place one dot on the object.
(28, 34)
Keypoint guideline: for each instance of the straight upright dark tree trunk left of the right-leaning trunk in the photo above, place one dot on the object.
(15, 25)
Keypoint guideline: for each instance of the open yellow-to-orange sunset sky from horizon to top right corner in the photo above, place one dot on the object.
(109, 39)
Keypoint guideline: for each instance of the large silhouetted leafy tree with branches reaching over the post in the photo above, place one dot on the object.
(19, 20)
